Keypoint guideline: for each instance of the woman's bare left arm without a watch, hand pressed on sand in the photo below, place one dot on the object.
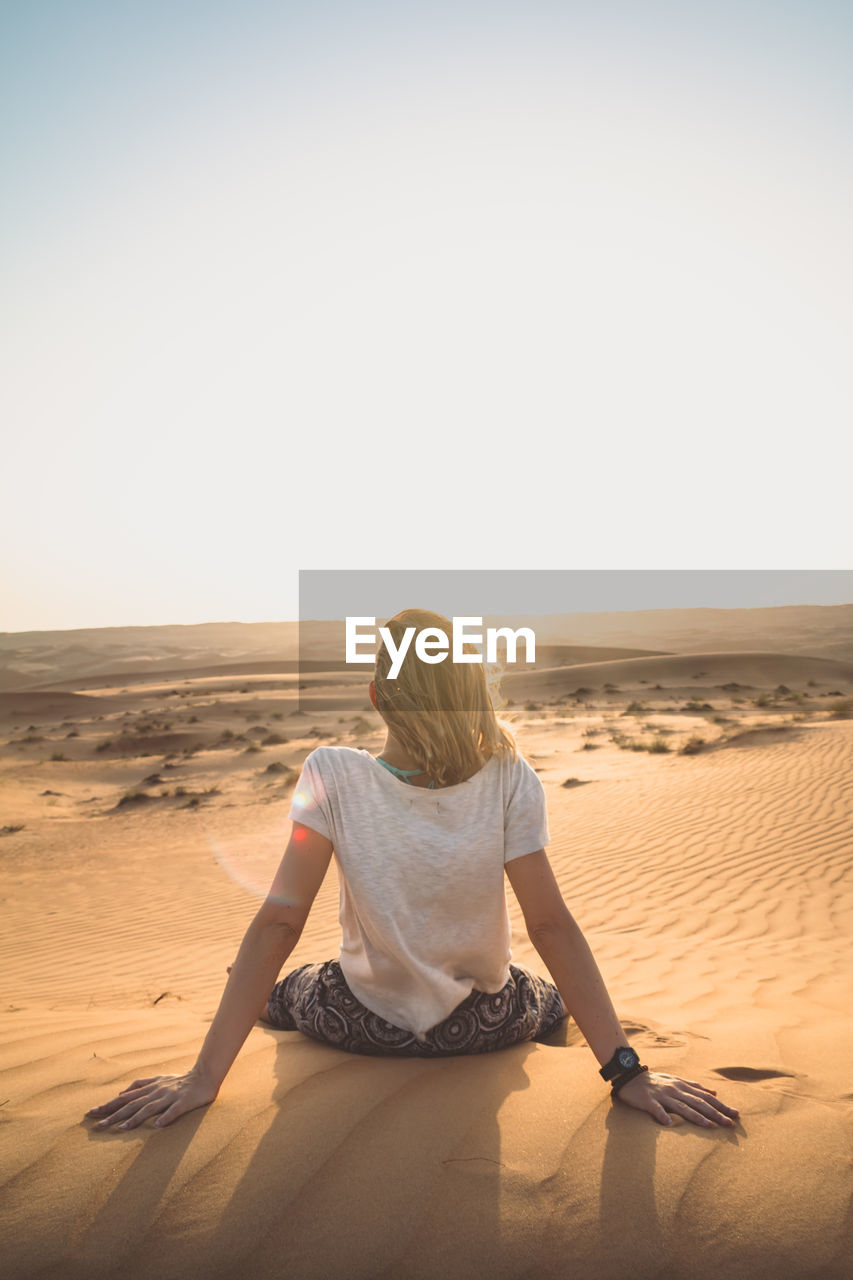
(268, 943)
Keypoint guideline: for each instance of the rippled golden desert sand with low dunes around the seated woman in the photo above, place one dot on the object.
(715, 890)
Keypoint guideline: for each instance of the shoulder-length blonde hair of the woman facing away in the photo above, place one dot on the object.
(443, 712)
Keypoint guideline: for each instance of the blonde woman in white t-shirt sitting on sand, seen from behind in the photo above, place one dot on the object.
(423, 835)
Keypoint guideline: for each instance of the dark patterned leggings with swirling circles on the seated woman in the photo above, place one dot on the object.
(317, 1002)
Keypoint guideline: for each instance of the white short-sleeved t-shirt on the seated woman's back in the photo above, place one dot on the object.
(423, 900)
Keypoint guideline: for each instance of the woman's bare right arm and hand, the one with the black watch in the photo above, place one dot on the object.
(565, 952)
